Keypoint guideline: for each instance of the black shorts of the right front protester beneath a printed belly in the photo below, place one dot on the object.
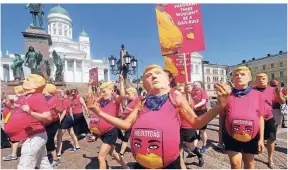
(231, 144)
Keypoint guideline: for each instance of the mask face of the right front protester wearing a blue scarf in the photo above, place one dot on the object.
(241, 78)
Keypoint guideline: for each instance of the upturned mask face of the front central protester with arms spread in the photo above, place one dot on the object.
(156, 79)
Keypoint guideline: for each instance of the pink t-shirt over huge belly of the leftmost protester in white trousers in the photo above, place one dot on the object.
(21, 125)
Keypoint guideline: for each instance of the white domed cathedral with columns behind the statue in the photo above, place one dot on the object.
(76, 54)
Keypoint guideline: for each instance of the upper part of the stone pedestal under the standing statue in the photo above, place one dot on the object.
(39, 39)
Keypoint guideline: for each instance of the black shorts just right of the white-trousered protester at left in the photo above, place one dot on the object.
(51, 131)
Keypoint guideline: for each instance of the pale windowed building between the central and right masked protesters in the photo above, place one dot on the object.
(213, 73)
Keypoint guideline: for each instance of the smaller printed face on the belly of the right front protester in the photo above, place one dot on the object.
(242, 130)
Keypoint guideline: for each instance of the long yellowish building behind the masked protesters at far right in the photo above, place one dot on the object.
(275, 66)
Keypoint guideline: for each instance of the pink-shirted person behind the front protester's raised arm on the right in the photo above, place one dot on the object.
(200, 99)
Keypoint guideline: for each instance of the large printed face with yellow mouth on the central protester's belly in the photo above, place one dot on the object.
(147, 145)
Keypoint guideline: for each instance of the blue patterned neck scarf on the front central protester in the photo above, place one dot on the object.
(155, 102)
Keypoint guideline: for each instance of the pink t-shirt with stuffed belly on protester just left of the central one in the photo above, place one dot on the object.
(98, 125)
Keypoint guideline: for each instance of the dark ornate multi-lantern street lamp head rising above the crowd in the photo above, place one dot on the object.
(127, 64)
